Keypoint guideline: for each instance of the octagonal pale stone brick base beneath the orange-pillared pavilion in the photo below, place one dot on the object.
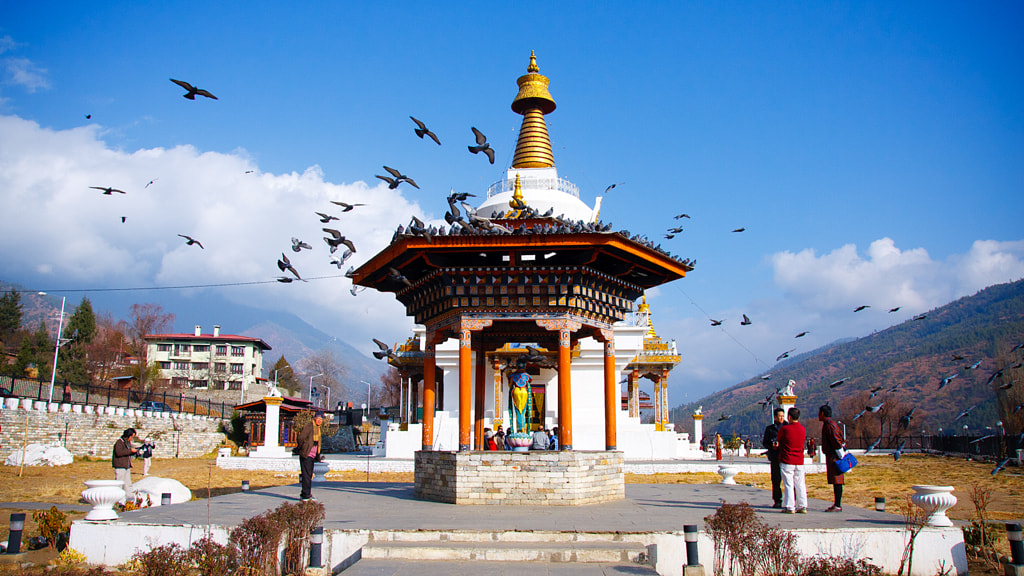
(570, 478)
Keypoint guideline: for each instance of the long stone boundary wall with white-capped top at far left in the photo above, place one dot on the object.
(94, 434)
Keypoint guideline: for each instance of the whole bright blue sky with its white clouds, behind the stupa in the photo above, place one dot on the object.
(874, 151)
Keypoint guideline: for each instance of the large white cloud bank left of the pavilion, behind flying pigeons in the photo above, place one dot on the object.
(60, 232)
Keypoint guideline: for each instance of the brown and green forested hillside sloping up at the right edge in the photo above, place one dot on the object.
(970, 341)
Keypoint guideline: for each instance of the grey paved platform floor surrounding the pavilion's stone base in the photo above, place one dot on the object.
(648, 508)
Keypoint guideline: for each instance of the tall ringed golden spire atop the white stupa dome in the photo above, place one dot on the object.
(534, 147)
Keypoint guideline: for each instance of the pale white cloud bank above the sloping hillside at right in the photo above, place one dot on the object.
(819, 294)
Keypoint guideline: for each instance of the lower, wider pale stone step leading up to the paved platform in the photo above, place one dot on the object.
(584, 553)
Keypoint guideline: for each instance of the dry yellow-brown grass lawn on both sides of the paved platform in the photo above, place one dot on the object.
(875, 477)
